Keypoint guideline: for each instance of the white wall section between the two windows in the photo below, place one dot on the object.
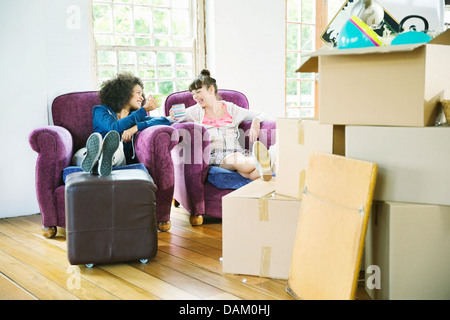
(246, 50)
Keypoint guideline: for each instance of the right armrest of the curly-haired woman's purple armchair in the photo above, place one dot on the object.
(153, 147)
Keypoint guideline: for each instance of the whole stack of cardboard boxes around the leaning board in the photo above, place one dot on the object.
(377, 105)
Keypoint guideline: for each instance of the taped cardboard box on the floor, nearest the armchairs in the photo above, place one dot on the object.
(258, 229)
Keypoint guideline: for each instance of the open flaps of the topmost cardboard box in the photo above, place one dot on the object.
(312, 64)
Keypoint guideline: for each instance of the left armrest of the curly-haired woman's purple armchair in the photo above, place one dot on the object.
(54, 146)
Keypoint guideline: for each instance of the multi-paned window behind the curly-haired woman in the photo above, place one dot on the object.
(160, 41)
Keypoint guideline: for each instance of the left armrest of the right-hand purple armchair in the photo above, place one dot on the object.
(191, 159)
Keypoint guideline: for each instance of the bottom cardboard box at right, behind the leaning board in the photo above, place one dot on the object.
(410, 243)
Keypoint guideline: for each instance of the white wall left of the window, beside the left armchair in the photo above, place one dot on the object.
(43, 53)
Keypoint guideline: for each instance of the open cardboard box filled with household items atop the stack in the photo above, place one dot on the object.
(391, 85)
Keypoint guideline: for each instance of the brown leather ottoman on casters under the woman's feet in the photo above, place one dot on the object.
(110, 218)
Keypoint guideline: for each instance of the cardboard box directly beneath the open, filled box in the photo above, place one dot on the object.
(413, 162)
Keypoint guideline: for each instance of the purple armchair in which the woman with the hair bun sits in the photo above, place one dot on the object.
(191, 157)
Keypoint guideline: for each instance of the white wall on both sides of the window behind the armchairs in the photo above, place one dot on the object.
(45, 51)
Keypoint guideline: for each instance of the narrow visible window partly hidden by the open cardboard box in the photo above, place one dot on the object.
(305, 20)
